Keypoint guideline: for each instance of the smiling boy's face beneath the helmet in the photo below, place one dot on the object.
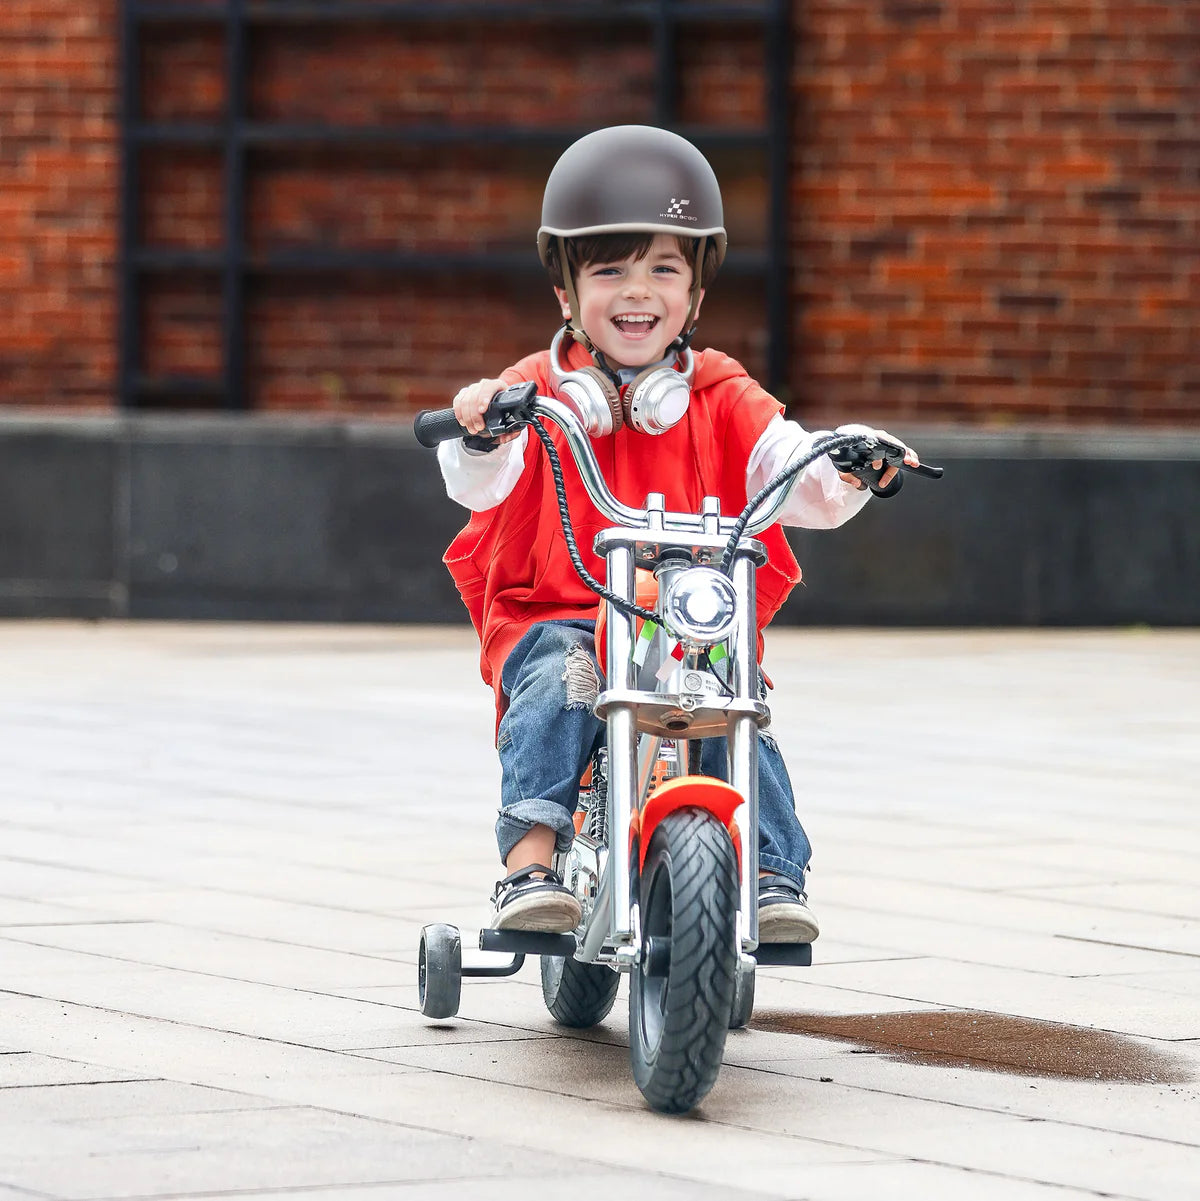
(636, 308)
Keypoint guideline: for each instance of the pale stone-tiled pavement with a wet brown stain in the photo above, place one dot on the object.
(218, 846)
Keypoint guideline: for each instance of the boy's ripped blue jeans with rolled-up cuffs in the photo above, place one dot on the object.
(550, 734)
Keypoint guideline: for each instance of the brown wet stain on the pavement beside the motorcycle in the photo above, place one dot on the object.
(989, 1042)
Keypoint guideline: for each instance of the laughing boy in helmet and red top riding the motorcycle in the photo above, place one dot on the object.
(632, 234)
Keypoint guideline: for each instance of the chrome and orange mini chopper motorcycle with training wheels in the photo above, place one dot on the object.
(665, 863)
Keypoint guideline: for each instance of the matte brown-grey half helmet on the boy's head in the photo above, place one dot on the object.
(632, 178)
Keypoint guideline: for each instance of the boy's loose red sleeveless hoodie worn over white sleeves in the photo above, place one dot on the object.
(511, 563)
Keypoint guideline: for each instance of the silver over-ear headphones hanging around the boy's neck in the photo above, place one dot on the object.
(654, 402)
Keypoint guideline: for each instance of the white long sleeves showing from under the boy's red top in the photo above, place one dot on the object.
(820, 500)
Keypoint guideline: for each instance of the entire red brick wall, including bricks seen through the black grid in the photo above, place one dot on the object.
(995, 205)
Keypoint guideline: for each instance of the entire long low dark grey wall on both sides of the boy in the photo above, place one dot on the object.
(298, 519)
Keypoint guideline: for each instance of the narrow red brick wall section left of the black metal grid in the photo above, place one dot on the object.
(58, 202)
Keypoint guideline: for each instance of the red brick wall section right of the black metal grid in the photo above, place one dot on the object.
(998, 210)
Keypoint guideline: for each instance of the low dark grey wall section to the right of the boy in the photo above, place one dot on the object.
(1014, 542)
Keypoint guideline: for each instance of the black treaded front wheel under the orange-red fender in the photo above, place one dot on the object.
(682, 995)
